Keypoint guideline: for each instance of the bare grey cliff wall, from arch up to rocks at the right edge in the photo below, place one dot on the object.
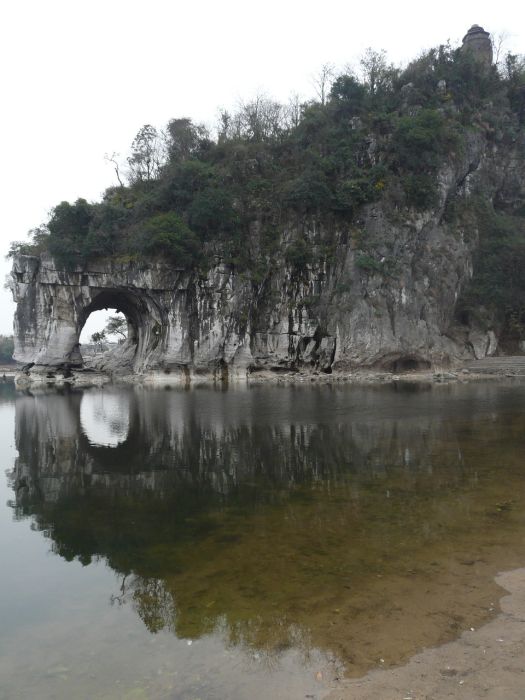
(385, 297)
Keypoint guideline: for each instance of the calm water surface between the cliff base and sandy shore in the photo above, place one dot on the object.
(250, 543)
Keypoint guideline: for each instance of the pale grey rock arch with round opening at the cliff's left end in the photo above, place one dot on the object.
(53, 306)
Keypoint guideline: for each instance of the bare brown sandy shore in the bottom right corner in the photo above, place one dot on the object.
(487, 663)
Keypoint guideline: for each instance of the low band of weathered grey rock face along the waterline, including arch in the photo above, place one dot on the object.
(190, 326)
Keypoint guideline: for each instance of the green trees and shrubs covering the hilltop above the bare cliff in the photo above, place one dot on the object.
(186, 197)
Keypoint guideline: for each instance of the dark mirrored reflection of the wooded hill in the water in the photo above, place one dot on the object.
(279, 516)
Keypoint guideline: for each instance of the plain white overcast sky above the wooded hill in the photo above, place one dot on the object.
(79, 78)
